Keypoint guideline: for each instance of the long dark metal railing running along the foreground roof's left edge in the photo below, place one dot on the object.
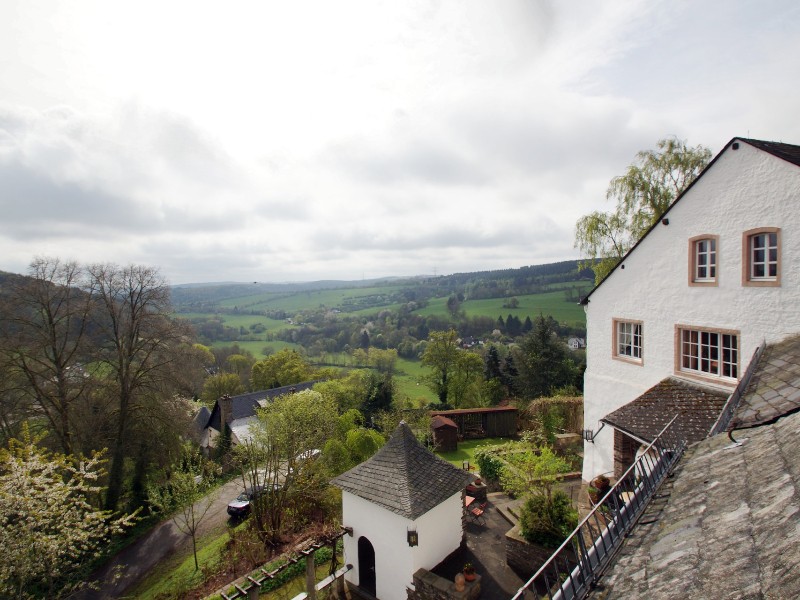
(575, 567)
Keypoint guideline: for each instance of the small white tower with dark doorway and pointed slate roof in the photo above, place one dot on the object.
(405, 506)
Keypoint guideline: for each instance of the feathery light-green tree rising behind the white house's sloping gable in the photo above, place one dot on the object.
(642, 194)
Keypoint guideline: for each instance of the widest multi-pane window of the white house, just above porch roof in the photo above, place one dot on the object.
(709, 353)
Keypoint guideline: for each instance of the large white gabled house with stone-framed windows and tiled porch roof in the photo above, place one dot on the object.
(674, 326)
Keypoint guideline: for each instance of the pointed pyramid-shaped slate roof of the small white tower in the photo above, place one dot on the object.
(404, 477)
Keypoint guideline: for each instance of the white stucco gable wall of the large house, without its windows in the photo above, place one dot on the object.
(744, 189)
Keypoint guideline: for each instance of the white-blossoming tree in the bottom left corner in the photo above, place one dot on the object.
(49, 530)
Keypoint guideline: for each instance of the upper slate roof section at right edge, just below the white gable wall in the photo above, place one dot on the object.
(774, 389)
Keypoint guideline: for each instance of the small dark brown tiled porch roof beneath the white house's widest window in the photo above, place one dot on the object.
(697, 407)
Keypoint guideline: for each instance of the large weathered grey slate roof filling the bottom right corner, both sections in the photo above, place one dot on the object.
(727, 525)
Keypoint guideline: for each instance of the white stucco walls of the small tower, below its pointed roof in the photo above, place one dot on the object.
(439, 530)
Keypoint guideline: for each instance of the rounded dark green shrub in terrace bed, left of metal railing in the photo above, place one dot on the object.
(548, 521)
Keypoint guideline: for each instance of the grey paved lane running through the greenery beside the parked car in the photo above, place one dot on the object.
(165, 539)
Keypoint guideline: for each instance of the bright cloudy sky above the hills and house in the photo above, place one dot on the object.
(296, 141)
